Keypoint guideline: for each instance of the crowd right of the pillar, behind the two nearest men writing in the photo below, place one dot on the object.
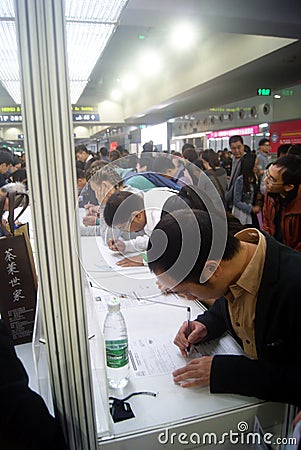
(258, 192)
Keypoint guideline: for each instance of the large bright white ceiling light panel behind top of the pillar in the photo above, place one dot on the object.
(89, 26)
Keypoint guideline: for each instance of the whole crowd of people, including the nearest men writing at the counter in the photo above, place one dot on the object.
(252, 290)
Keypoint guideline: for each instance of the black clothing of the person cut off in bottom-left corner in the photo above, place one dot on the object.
(25, 423)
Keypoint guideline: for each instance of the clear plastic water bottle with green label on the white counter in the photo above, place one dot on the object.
(116, 343)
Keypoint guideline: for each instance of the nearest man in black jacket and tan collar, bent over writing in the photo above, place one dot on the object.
(257, 282)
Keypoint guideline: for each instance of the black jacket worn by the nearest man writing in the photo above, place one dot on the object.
(276, 375)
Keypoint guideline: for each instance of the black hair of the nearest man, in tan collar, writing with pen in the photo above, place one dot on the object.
(186, 238)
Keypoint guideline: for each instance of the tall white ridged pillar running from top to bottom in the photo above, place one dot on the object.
(47, 121)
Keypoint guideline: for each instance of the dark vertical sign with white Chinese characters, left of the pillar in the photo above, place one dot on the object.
(18, 287)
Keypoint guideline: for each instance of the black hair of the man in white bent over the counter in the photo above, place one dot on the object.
(120, 206)
